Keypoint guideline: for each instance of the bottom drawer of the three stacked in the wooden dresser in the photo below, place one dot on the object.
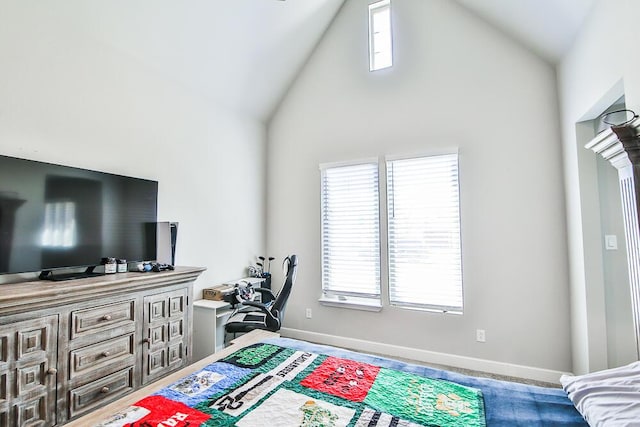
(87, 397)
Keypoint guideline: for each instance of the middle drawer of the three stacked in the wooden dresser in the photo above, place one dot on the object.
(102, 358)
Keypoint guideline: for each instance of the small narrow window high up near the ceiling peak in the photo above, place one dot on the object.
(380, 44)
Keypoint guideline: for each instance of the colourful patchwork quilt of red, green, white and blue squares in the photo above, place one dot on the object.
(267, 384)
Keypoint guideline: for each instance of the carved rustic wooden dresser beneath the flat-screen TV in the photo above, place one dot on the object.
(69, 347)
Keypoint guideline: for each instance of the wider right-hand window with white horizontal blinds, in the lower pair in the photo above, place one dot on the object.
(425, 268)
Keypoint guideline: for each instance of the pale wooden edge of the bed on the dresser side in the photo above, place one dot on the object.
(102, 414)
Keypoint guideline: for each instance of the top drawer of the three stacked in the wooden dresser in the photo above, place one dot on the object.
(98, 319)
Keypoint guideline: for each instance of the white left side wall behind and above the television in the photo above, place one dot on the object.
(69, 99)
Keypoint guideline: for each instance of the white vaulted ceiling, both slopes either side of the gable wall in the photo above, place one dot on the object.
(244, 53)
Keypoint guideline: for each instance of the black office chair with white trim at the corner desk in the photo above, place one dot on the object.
(263, 316)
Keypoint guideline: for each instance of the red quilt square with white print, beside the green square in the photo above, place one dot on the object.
(342, 377)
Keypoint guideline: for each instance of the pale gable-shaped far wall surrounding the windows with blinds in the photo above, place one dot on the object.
(456, 82)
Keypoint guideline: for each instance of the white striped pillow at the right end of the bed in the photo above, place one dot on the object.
(607, 398)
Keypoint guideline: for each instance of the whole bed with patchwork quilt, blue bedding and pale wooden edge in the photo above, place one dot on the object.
(263, 379)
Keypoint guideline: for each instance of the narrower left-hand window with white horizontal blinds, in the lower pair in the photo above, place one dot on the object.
(350, 230)
